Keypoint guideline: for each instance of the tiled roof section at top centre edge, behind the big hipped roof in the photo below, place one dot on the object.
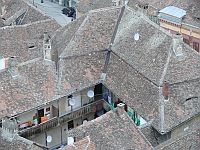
(85, 6)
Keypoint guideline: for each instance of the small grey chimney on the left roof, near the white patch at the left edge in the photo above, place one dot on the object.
(13, 66)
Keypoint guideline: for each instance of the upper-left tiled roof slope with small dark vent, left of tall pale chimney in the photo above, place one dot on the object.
(15, 40)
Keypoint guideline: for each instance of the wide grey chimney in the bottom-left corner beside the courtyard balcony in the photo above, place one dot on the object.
(9, 127)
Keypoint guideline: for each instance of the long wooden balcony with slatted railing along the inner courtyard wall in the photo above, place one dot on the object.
(56, 121)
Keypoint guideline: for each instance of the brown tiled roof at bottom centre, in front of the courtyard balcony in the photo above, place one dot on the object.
(111, 131)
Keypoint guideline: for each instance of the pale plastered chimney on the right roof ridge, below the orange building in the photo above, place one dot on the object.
(177, 45)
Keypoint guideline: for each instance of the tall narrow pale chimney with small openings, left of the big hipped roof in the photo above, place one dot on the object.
(47, 47)
